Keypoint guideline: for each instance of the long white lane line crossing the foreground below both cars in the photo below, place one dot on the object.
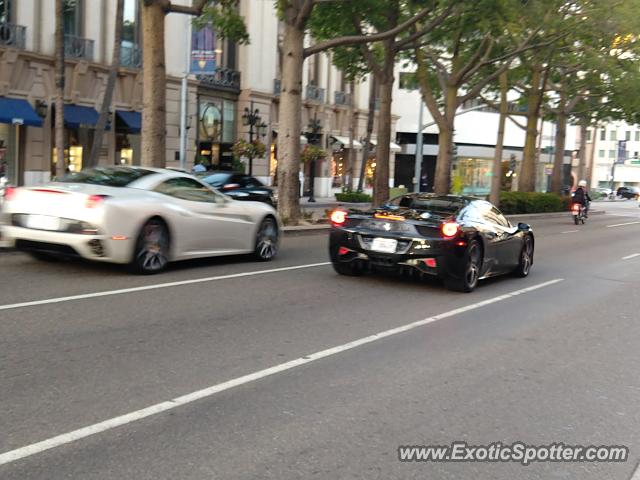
(57, 441)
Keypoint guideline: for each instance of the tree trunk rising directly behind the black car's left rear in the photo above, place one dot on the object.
(381, 175)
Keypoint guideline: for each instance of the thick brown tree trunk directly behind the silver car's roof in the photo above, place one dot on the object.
(154, 111)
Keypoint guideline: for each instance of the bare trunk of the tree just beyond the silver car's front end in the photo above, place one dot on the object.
(290, 120)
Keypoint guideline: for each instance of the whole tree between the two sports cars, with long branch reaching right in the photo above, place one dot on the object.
(296, 16)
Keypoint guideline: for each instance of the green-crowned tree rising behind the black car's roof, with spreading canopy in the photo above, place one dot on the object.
(466, 53)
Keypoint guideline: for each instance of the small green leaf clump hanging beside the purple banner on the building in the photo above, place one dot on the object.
(225, 19)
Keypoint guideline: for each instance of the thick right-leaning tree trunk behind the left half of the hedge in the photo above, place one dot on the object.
(527, 180)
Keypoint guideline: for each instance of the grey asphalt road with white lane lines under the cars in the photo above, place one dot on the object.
(556, 363)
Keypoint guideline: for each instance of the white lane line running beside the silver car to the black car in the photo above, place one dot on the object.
(156, 286)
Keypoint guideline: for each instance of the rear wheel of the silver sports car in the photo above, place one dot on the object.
(152, 248)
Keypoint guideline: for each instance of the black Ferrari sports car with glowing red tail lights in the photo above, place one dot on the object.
(456, 238)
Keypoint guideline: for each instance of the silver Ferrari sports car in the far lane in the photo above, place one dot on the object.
(146, 217)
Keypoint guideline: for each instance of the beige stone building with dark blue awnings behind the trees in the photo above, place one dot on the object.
(247, 77)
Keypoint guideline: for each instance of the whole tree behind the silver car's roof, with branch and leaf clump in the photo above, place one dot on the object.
(224, 17)
